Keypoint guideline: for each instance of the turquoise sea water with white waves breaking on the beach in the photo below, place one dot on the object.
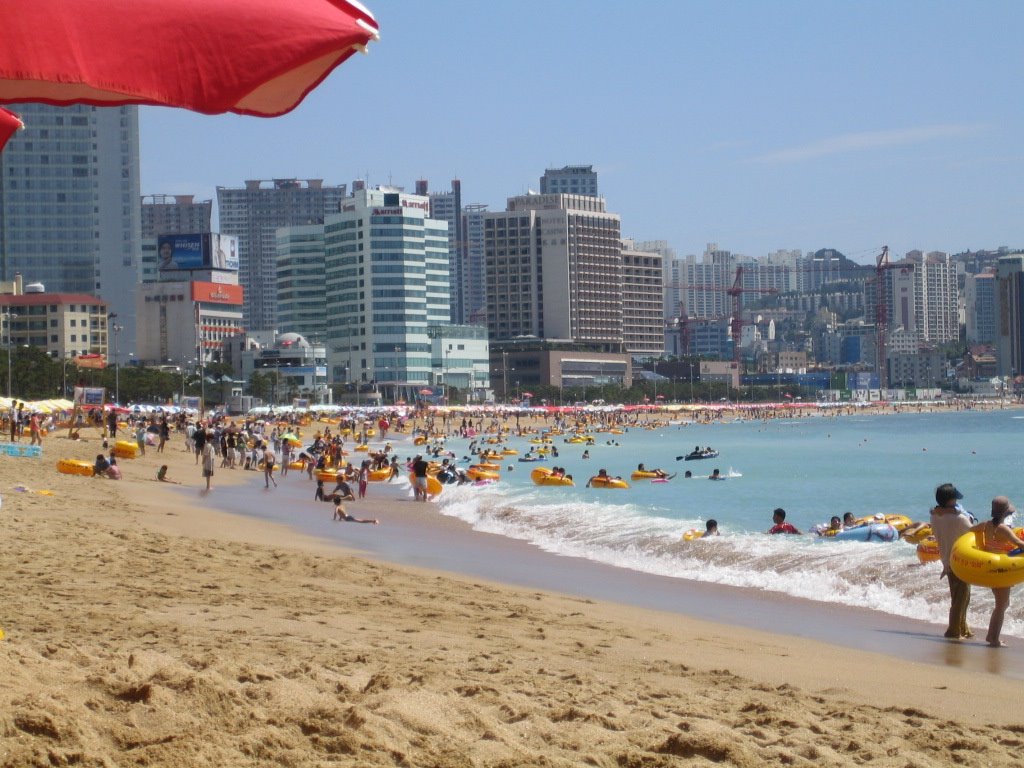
(813, 467)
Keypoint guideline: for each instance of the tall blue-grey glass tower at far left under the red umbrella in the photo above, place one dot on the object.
(69, 204)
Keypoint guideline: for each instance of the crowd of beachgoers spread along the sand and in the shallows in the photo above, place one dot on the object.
(266, 445)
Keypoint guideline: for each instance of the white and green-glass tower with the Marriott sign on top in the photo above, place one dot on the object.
(388, 281)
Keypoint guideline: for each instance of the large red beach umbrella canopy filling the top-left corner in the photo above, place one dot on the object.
(254, 58)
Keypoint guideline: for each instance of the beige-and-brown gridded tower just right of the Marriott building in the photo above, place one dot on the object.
(554, 270)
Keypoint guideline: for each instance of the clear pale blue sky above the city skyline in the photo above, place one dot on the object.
(755, 125)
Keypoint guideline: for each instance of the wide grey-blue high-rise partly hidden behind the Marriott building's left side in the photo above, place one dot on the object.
(253, 214)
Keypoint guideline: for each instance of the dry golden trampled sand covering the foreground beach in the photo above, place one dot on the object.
(146, 628)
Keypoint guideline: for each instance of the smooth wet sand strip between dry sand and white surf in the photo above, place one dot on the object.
(418, 536)
